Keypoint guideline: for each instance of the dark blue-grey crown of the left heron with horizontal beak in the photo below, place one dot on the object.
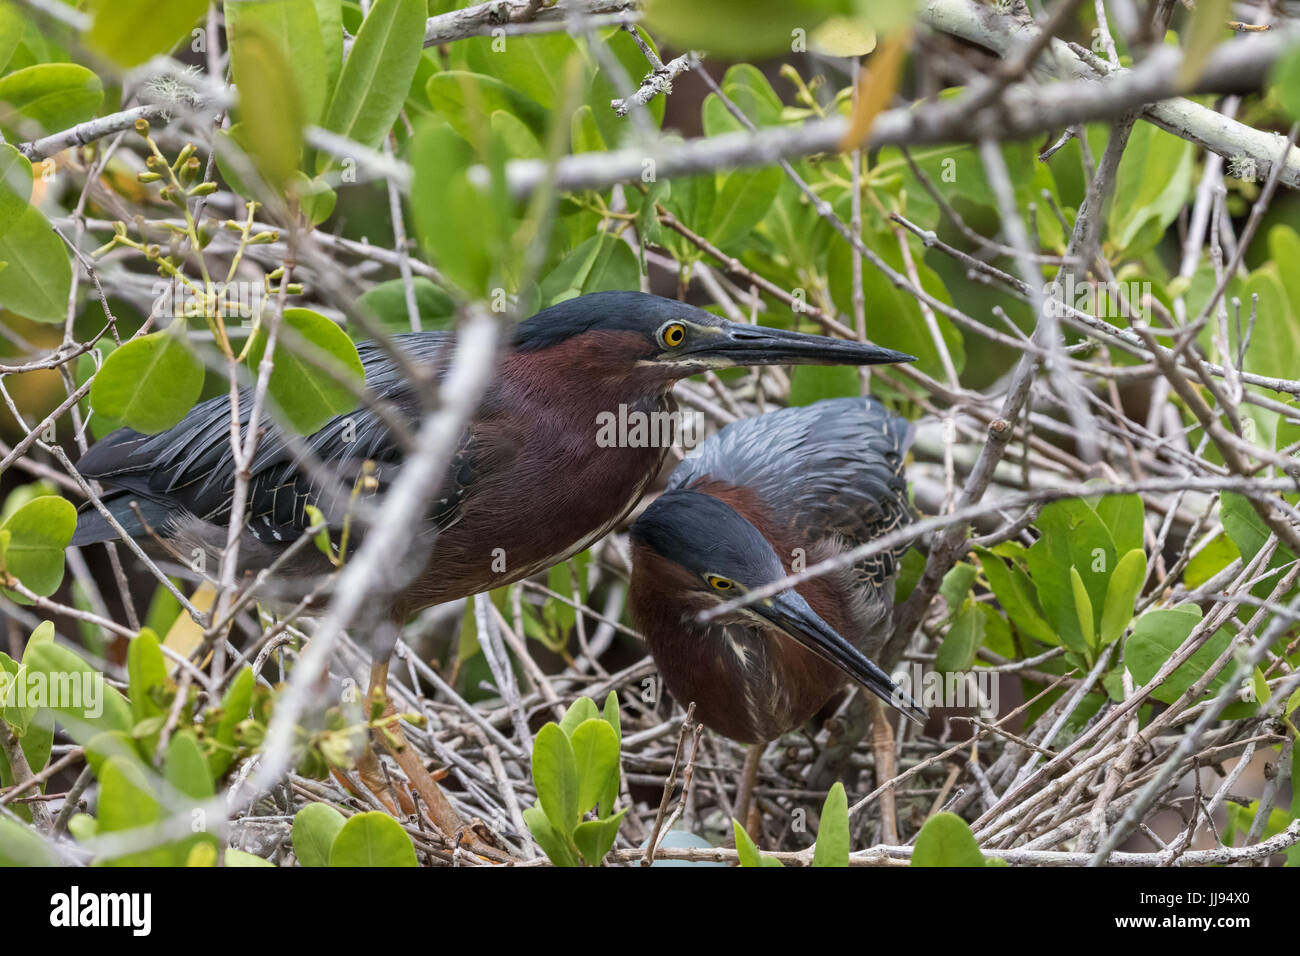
(614, 312)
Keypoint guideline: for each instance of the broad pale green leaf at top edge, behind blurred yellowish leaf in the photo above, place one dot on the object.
(294, 32)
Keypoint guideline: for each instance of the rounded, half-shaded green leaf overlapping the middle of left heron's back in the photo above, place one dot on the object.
(307, 396)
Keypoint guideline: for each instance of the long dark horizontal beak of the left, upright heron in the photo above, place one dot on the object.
(755, 345)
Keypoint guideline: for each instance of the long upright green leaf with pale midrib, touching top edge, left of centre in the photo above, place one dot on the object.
(378, 73)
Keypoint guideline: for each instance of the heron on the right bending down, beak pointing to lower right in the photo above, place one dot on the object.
(761, 499)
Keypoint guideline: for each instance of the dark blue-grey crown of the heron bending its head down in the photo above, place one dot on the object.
(705, 535)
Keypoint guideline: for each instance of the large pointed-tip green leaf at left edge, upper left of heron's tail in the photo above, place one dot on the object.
(38, 279)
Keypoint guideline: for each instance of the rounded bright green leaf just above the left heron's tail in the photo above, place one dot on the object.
(150, 383)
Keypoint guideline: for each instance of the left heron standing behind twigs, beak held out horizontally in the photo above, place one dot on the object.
(530, 485)
